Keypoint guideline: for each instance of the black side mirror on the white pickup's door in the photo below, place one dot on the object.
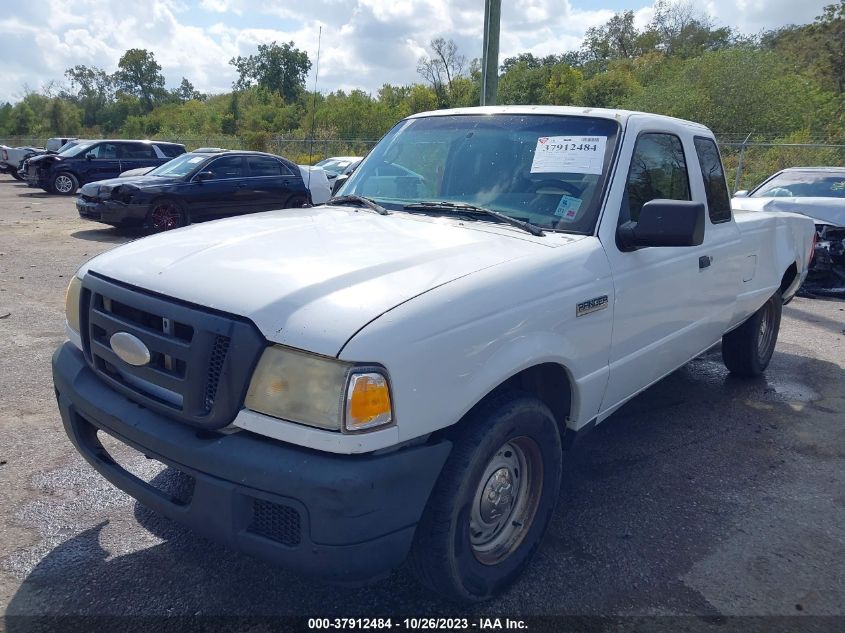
(664, 223)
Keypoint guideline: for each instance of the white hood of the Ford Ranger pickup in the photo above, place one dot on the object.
(311, 278)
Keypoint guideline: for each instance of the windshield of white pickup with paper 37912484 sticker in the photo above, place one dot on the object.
(548, 170)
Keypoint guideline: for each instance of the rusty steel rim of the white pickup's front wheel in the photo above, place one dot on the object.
(506, 500)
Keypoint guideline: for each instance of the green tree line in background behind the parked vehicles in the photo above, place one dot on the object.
(786, 85)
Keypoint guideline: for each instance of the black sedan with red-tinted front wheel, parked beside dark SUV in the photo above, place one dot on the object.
(196, 186)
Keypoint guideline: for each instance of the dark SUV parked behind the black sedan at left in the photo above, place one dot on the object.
(88, 161)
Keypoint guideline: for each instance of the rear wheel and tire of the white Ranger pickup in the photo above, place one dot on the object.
(747, 350)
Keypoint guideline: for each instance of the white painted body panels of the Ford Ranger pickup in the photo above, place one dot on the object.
(452, 309)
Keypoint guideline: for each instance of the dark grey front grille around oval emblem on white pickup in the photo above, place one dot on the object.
(200, 361)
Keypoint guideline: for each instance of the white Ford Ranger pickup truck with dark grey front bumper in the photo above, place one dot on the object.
(399, 372)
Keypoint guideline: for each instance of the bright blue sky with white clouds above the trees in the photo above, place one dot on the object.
(364, 43)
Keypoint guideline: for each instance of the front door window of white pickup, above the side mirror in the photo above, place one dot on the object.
(658, 171)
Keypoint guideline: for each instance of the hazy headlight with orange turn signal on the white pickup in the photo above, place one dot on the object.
(318, 391)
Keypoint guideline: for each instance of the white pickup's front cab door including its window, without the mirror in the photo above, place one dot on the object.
(667, 299)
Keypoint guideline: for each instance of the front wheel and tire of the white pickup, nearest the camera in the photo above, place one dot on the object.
(448, 555)
